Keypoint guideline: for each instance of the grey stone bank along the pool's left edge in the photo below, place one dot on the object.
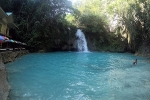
(6, 57)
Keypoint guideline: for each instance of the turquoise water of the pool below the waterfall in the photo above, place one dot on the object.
(79, 76)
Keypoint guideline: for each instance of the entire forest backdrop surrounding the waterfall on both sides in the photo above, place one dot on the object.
(110, 25)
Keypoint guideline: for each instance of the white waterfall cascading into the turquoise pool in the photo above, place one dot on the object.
(81, 41)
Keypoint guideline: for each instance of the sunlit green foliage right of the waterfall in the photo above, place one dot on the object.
(132, 14)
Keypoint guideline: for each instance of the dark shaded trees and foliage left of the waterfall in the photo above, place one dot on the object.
(41, 23)
